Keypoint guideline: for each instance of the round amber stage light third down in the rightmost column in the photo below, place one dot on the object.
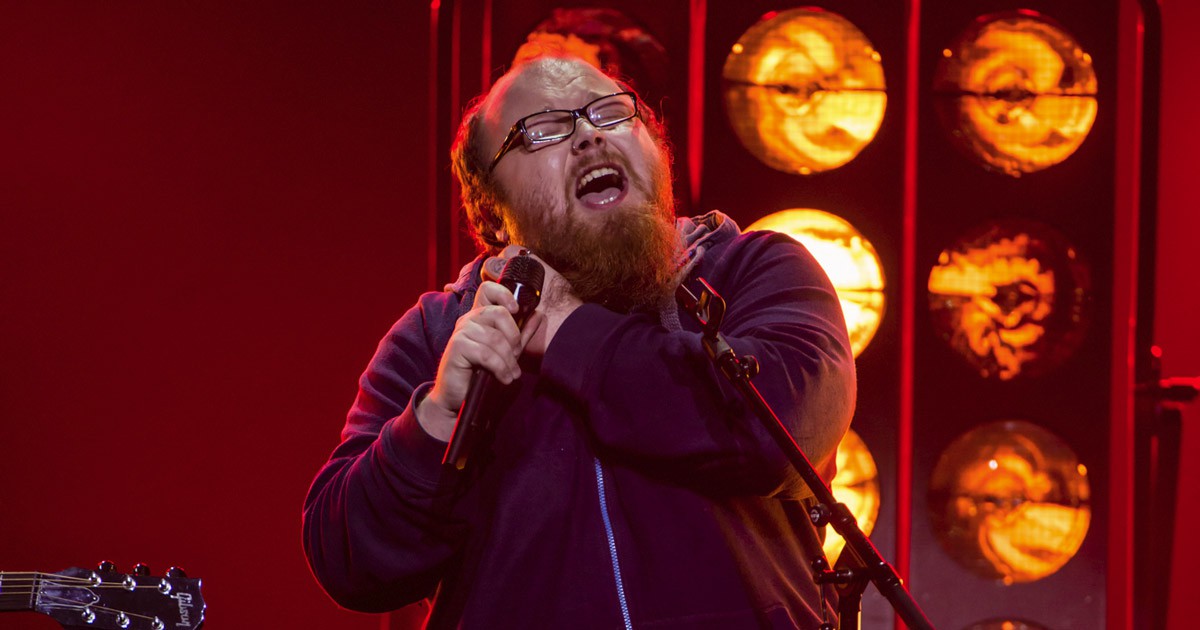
(1010, 501)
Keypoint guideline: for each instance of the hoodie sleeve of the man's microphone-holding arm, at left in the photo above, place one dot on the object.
(371, 535)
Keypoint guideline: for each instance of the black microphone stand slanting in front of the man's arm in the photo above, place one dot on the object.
(853, 574)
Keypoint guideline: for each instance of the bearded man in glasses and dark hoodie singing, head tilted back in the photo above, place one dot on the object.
(625, 485)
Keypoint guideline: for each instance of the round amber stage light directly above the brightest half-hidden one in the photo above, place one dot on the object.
(805, 91)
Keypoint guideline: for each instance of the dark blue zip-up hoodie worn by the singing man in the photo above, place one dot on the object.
(627, 485)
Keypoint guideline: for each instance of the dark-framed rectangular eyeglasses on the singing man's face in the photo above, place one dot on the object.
(556, 125)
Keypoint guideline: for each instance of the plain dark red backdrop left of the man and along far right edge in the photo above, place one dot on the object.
(209, 215)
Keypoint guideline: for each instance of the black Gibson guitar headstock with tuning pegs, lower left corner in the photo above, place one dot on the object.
(107, 599)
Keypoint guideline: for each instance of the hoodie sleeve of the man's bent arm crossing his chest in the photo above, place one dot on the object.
(653, 399)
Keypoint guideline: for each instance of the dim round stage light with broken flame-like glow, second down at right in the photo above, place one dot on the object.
(1011, 298)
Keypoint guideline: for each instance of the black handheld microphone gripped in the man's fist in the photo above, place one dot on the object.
(524, 277)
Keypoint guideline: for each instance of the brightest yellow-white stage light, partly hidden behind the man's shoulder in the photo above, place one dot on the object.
(848, 259)
